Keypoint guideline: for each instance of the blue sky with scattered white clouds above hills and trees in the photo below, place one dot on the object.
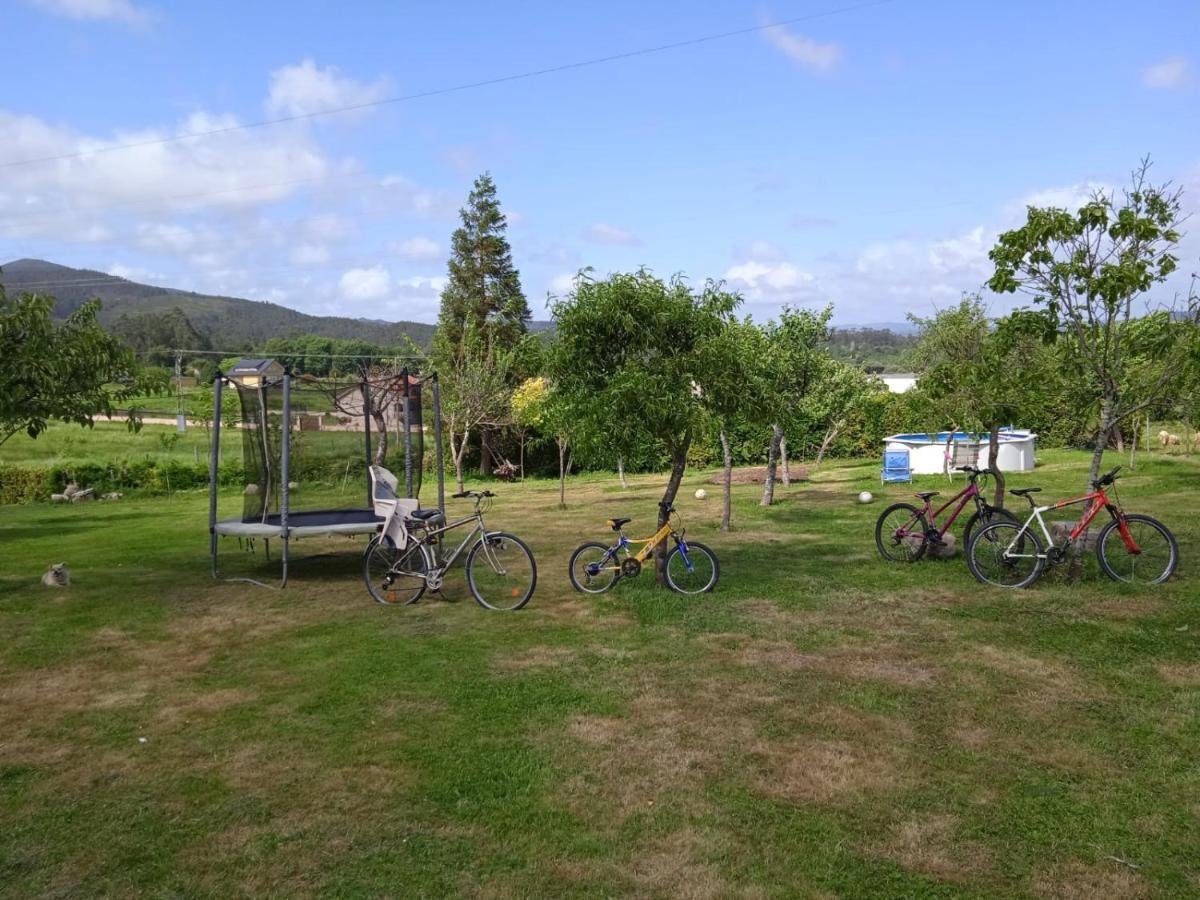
(865, 155)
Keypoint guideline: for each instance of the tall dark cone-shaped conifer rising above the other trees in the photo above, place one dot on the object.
(484, 295)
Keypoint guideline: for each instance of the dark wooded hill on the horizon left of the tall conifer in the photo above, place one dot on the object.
(227, 322)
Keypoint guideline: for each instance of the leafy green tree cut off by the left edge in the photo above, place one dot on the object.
(70, 373)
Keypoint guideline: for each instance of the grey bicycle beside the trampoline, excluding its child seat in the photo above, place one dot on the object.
(501, 569)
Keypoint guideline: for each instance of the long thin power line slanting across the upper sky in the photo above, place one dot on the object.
(454, 89)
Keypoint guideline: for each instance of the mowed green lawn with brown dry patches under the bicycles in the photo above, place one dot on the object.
(823, 725)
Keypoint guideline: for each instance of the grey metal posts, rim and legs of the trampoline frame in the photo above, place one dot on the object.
(287, 525)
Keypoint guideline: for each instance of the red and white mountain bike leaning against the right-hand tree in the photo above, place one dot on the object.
(1131, 548)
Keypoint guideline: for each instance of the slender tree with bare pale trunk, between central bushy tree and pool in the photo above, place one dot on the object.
(795, 355)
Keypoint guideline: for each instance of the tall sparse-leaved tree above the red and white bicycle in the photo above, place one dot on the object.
(1089, 273)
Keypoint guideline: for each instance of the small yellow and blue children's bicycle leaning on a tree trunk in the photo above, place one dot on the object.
(691, 567)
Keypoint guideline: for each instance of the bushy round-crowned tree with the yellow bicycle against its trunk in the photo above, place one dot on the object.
(635, 356)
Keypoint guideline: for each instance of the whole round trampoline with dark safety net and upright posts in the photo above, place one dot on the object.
(303, 437)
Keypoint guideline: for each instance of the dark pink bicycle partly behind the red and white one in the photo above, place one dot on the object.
(903, 533)
